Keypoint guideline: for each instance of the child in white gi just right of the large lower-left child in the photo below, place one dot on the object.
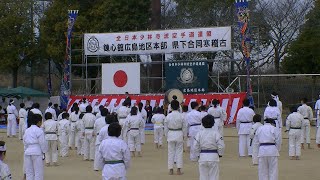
(50, 128)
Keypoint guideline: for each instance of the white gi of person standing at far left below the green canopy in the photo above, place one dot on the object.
(12, 120)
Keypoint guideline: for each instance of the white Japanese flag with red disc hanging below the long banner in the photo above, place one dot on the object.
(118, 78)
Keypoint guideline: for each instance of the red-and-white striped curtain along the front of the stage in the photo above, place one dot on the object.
(230, 102)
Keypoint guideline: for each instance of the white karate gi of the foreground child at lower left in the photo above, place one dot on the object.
(35, 146)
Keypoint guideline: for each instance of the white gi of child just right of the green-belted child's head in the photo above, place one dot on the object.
(134, 125)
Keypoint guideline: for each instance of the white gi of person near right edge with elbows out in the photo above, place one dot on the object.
(307, 114)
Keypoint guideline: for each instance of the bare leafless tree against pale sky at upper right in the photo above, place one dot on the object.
(283, 18)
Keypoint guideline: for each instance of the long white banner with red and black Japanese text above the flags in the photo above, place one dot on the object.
(157, 42)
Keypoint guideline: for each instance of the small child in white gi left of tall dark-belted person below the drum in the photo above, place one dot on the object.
(158, 121)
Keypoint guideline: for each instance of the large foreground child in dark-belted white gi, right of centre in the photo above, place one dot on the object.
(209, 146)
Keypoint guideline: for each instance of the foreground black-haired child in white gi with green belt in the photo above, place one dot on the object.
(114, 155)
